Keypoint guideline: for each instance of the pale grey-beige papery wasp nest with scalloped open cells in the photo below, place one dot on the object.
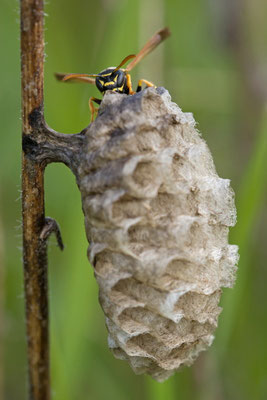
(157, 218)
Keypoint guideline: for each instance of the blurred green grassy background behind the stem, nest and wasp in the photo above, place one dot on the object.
(214, 65)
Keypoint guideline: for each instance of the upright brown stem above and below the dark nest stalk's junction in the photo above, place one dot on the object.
(34, 249)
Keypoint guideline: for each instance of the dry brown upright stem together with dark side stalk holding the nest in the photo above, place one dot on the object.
(41, 145)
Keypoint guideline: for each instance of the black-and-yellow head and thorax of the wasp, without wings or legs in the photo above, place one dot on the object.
(111, 79)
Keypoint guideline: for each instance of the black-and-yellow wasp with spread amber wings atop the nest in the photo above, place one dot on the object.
(118, 79)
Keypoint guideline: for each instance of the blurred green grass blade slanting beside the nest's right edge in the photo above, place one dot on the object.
(248, 201)
